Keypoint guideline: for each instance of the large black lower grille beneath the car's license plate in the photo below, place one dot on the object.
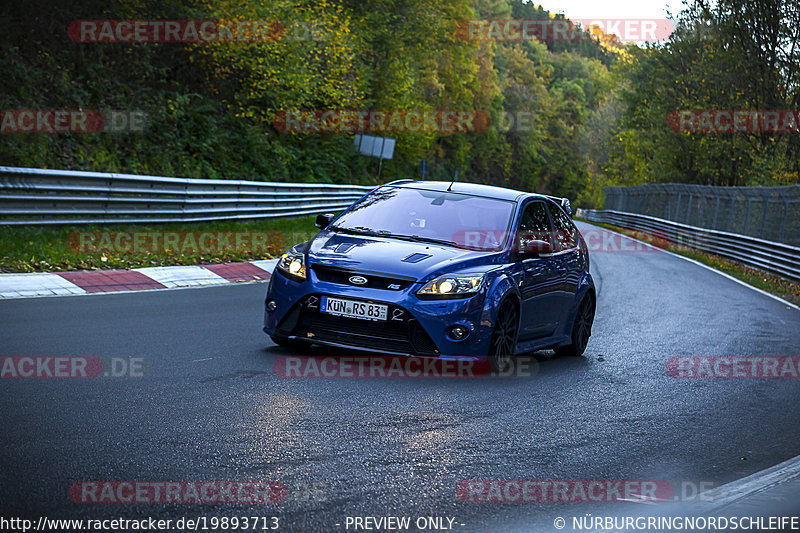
(400, 333)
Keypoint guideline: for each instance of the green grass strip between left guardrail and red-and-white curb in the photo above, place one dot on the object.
(57, 248)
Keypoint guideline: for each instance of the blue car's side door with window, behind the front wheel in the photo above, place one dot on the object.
(539, 283)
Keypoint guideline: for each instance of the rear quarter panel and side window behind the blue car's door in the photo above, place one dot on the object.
(567, 260)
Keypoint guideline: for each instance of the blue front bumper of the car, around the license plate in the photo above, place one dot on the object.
(413, 326)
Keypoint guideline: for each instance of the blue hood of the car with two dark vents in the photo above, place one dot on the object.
(392, 256)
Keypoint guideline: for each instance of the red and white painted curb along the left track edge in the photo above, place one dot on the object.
(138, 279)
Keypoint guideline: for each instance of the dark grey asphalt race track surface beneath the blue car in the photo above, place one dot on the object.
(210, 407)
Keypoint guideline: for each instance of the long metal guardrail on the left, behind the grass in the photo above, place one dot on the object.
(42, 196)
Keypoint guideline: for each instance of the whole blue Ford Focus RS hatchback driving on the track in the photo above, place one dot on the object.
(438, 269)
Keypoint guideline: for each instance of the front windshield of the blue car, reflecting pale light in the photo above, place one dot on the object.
(454, 219)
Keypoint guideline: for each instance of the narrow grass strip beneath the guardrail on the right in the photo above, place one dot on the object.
(783, 288)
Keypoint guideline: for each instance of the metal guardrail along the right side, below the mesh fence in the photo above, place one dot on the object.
(777, 258)
